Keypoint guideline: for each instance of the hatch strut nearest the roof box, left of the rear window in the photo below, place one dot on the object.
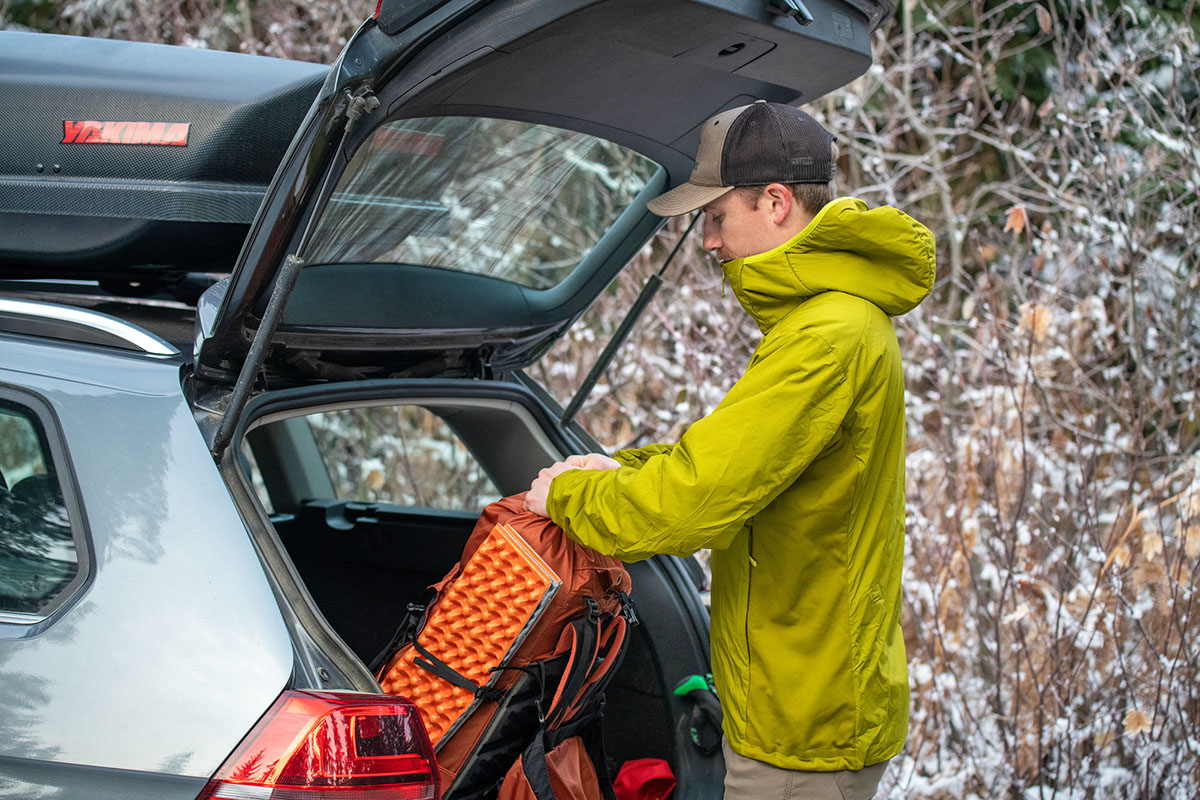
(357, 104)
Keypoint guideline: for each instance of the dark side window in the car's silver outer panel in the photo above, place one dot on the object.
(39, 554)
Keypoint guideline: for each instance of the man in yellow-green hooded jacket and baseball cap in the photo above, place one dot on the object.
(796, 480)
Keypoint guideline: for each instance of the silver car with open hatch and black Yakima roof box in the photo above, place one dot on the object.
(265, 330)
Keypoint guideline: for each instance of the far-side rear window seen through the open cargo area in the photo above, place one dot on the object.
(404, 455)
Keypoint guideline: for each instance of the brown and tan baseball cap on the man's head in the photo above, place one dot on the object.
(751, 146)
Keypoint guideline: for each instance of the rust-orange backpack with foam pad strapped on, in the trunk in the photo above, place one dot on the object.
(509, 655)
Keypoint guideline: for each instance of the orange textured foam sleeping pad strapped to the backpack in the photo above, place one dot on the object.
(477, 625)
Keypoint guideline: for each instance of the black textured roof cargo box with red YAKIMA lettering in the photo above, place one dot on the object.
(122, 157)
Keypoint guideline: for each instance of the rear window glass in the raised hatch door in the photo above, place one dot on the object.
(508, 200)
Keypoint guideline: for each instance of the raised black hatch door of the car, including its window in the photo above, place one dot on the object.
(473, 175)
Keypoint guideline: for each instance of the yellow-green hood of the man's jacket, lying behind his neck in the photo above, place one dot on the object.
(879, 255)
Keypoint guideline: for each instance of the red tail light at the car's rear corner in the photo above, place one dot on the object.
(335, 747)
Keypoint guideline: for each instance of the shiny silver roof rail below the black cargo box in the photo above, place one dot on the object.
(73, 324)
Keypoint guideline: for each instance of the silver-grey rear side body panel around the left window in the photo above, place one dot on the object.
(178, 613)
